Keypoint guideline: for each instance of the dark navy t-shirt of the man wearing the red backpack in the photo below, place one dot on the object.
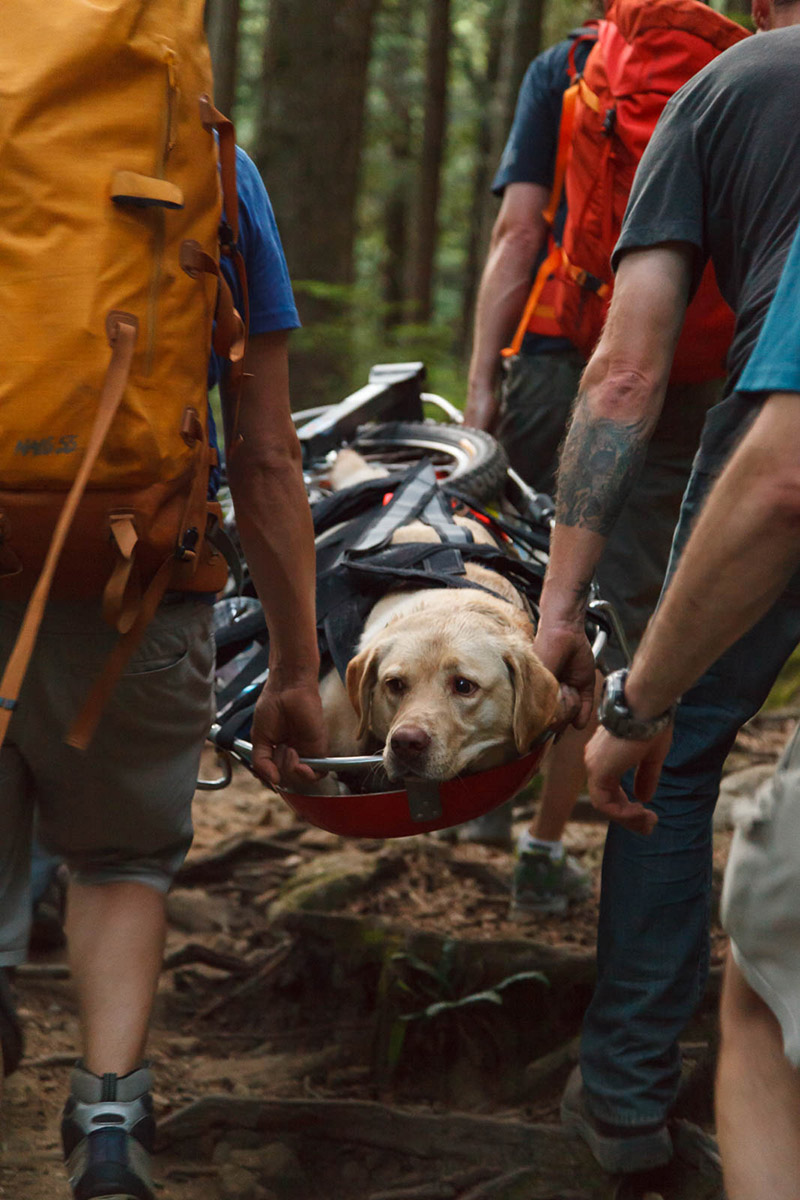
(530, 155)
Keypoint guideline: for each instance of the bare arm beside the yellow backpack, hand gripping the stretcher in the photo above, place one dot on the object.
(276, 531)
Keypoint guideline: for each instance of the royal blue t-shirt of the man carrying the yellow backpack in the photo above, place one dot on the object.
(272, 301)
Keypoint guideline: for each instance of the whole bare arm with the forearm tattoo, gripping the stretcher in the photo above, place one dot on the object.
(616, 412)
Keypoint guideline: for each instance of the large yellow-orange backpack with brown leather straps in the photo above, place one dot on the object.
(110, 218)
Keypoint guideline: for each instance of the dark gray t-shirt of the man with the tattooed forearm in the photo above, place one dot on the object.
(723, 172)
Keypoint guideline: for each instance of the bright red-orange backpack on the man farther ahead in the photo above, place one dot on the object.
(646, 51)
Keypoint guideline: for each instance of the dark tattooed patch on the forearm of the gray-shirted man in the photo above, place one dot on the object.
(599, 465)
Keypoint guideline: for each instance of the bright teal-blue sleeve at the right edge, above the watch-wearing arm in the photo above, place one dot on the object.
(775, 363)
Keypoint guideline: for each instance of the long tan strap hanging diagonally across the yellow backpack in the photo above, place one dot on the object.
(122, 329)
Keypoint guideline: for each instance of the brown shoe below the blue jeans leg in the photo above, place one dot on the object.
(621, 1150)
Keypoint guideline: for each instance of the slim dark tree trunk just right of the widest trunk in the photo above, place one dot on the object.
(430, 173)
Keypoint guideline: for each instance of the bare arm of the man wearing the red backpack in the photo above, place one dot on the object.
(518, 239)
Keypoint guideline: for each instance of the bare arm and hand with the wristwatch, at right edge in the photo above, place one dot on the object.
(742, 553)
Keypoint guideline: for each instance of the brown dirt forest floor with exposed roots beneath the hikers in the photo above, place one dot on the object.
(363, 1022)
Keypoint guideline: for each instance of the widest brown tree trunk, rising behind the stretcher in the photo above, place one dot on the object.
(309, 149)
